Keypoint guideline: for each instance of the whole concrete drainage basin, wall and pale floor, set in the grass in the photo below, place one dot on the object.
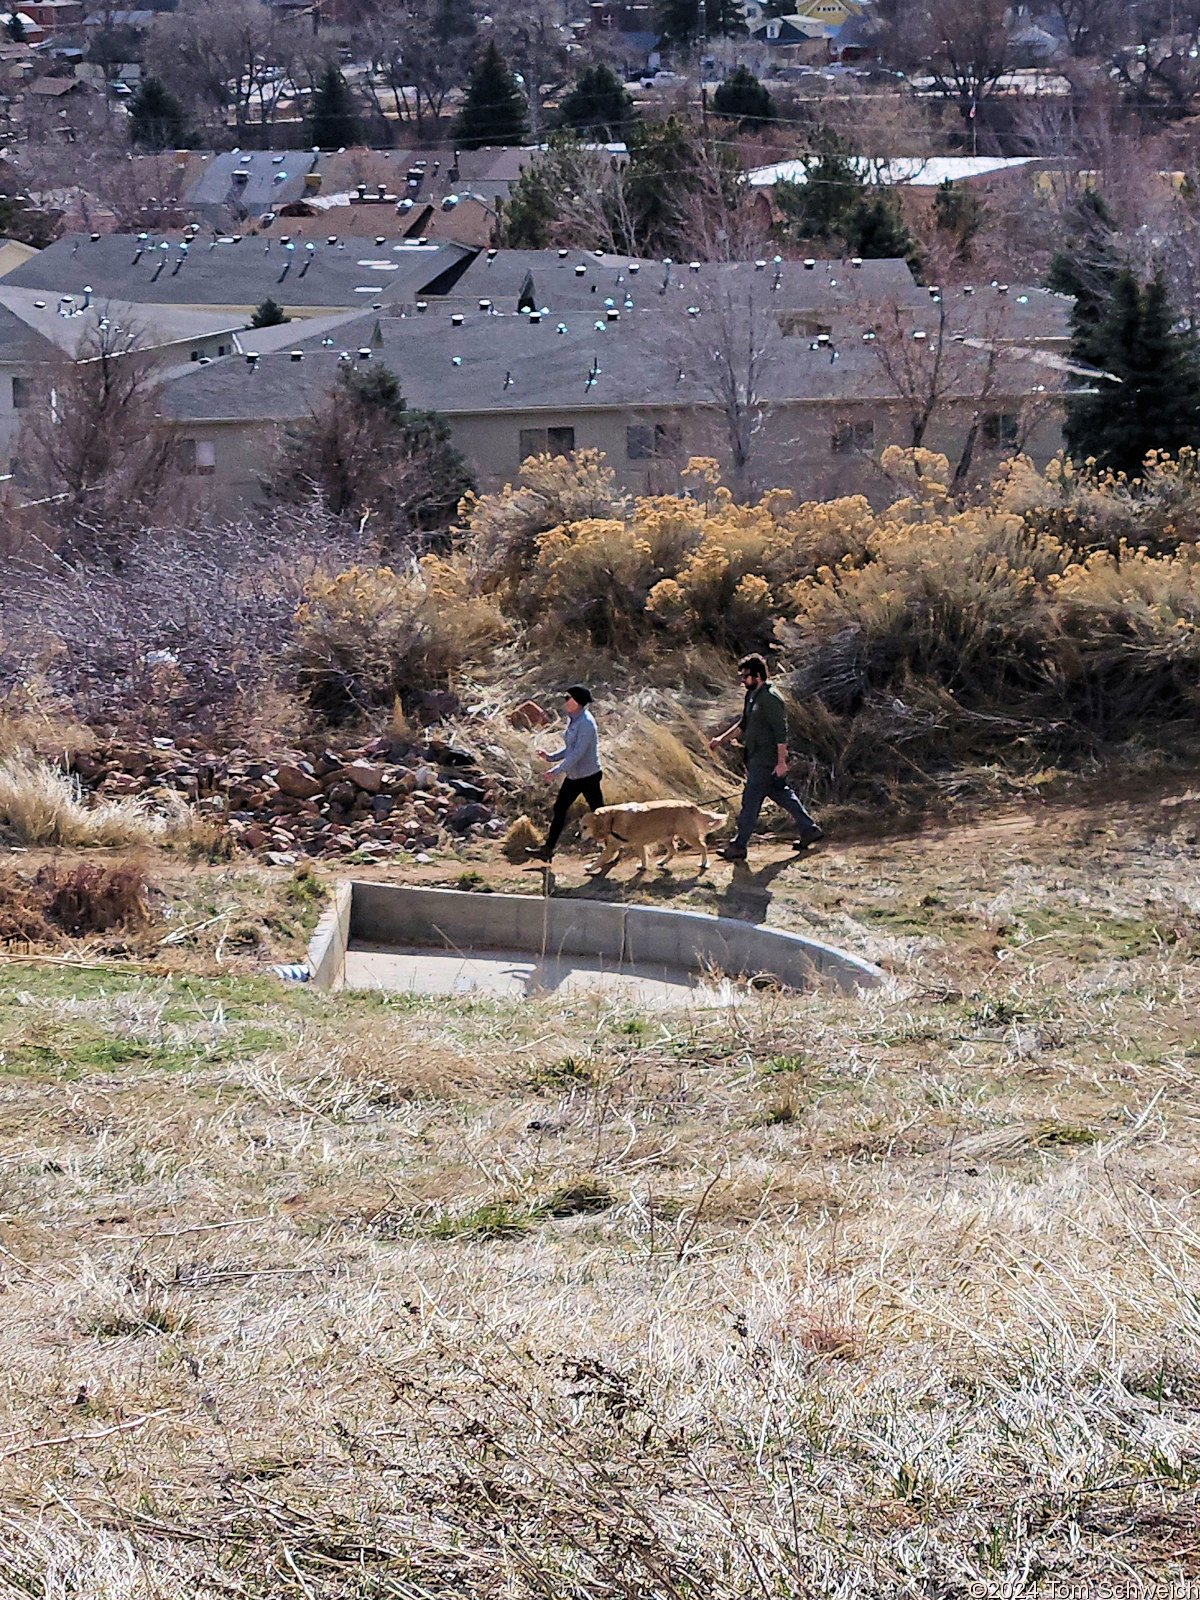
(450, 942)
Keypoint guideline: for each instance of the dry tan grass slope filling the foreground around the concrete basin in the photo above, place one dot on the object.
(362, 1297)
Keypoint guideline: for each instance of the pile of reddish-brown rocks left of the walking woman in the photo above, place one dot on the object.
(377, 799)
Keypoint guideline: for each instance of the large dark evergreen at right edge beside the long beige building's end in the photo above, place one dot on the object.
(1156, 404)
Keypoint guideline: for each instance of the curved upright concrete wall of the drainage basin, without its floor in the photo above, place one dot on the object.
(684, 942)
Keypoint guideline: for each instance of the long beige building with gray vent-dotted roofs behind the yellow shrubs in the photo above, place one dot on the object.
(535, 351)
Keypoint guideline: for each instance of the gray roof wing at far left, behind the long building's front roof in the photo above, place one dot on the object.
(356, 273)
